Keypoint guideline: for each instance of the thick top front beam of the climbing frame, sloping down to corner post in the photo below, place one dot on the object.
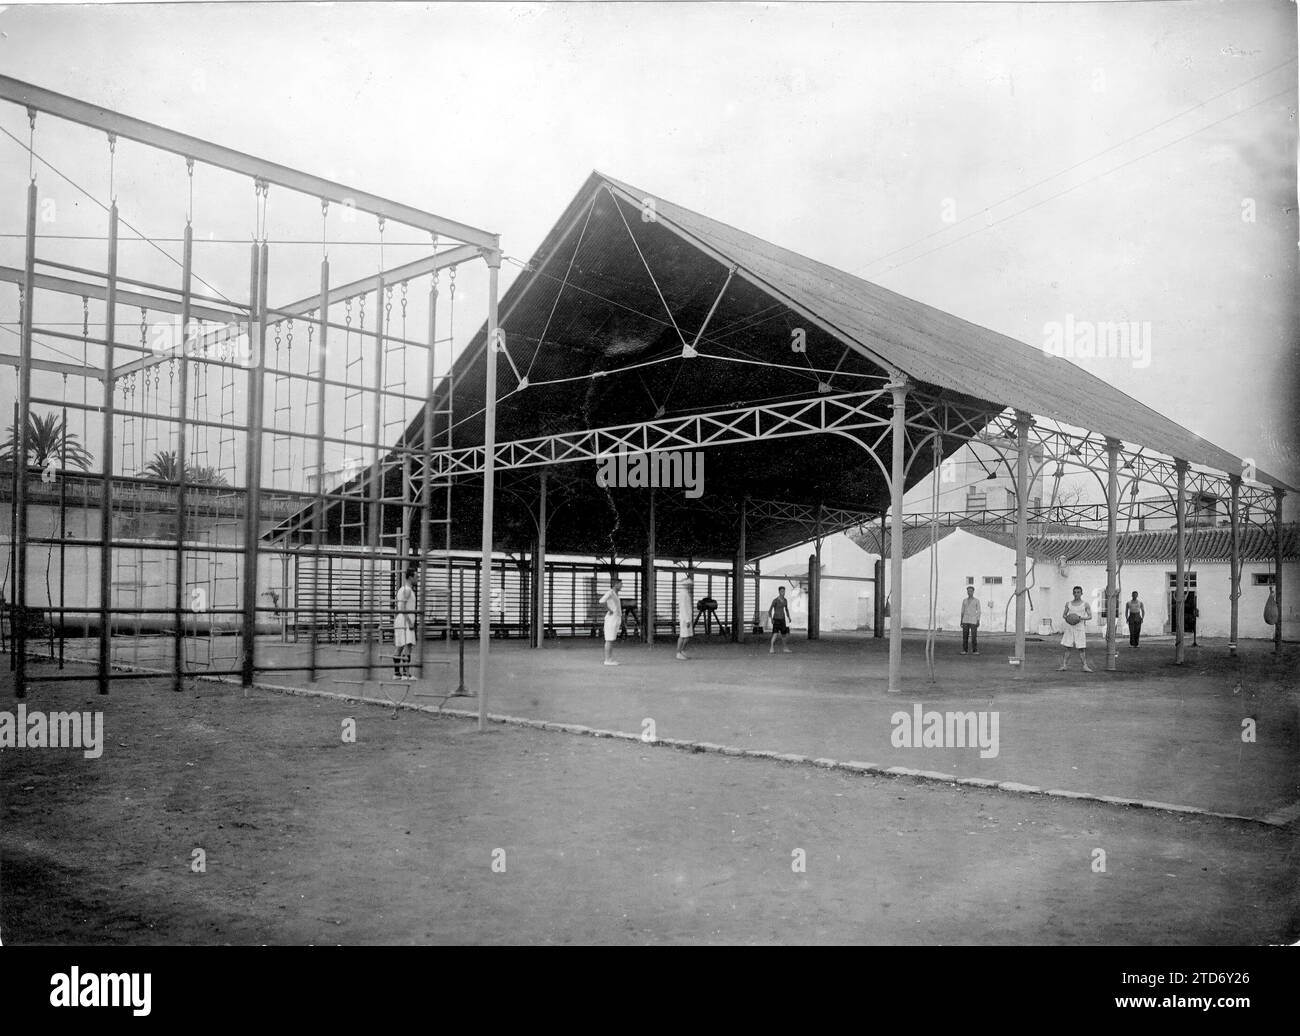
(237, 162)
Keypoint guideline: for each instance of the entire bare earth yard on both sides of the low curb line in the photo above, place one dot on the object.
(393, 839)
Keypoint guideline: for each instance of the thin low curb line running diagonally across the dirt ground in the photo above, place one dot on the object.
(1281, 818)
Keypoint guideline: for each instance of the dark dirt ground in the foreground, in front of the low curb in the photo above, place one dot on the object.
(393, 840)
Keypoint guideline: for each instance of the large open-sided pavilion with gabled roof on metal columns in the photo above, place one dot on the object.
(817, 400)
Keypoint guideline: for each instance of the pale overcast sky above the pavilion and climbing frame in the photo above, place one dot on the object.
(1138, 161)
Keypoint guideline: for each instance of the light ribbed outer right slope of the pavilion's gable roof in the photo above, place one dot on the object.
(943, 350)
